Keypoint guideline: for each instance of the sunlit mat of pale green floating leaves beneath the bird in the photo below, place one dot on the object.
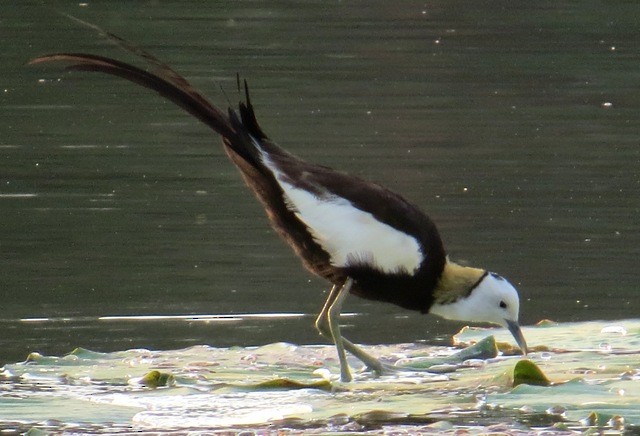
(296, 388)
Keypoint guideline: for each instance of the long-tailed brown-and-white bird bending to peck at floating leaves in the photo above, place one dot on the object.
(361, 237)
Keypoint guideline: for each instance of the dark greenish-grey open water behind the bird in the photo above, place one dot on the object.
(514, 124)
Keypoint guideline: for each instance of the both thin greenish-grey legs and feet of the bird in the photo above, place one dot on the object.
(328, 326)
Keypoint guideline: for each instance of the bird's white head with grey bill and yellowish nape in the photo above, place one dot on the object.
(490, 298)
